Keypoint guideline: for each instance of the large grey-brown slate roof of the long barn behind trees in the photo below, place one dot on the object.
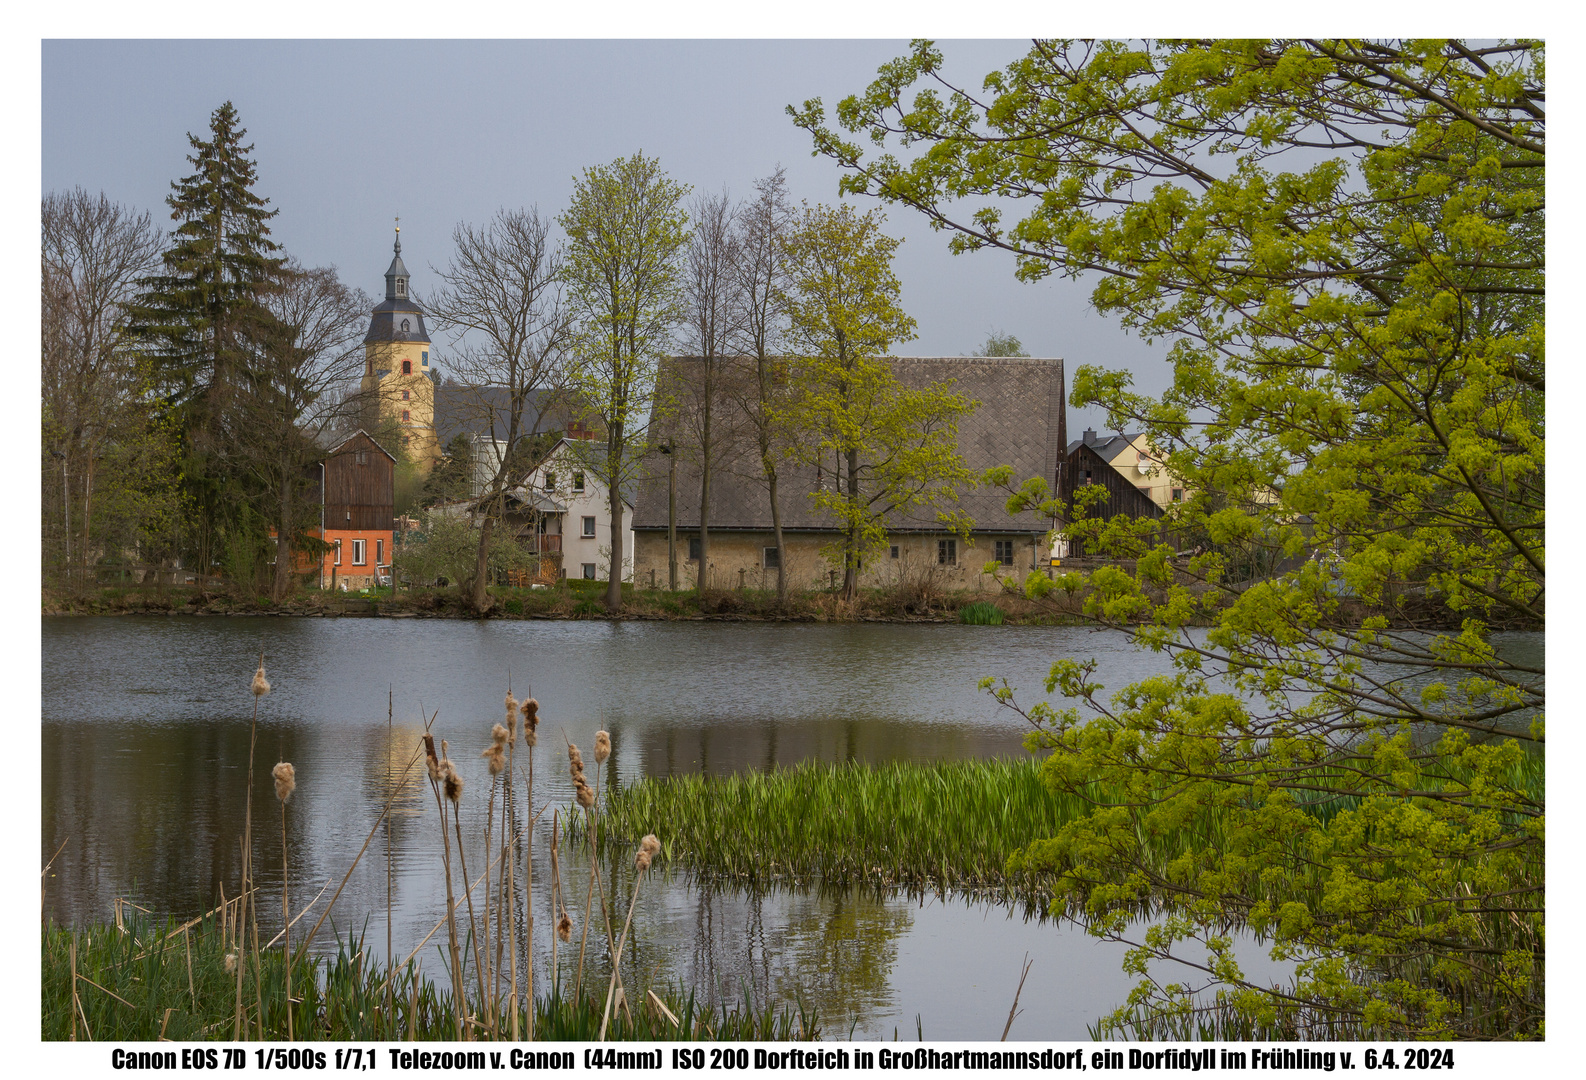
(1021, 423)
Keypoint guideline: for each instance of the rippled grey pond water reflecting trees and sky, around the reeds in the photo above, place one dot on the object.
(145, 759)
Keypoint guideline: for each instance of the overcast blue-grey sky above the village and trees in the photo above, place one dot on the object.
(351, 134)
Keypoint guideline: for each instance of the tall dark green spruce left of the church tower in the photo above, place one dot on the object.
(207, 323)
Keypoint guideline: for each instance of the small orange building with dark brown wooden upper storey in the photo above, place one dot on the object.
(358, 500)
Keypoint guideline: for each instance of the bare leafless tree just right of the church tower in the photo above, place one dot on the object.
(502, 297)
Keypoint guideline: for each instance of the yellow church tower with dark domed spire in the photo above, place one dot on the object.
(397, 383)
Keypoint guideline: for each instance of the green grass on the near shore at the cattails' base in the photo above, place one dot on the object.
(148, 982)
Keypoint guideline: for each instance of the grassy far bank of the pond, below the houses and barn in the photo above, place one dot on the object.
(572, 600)
